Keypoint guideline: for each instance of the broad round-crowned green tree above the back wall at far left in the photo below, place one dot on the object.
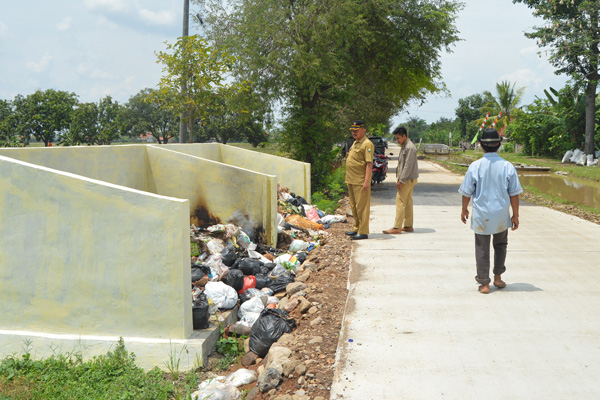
(44, 114)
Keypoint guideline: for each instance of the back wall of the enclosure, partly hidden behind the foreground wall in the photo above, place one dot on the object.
(120, 165)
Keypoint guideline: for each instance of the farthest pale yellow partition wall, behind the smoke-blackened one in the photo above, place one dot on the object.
(290, 173)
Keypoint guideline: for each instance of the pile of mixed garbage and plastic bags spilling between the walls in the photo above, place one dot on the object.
(229, 269)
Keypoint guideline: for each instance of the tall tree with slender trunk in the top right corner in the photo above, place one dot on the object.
(572, 34)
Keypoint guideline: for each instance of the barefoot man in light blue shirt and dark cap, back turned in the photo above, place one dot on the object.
(494, 185)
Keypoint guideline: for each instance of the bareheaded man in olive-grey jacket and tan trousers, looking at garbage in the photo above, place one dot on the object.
(407, 173)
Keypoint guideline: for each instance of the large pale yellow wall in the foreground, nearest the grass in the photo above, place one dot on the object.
(81, 256)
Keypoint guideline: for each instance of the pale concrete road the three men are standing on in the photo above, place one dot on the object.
(416, 327)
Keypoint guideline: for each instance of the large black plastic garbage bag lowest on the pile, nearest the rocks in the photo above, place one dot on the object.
(268, 328)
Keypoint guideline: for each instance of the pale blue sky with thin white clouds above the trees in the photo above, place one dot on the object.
(96, 48)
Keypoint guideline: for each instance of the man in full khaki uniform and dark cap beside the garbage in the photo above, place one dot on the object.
(359, 168)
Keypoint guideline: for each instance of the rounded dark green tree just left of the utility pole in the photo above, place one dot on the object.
(145, 113)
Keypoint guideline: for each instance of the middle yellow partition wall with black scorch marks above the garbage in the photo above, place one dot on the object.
(229, 193)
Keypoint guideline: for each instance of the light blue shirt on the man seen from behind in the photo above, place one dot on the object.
(491, 181)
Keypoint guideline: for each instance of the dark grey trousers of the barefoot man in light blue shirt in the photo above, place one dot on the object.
(482, 255)
